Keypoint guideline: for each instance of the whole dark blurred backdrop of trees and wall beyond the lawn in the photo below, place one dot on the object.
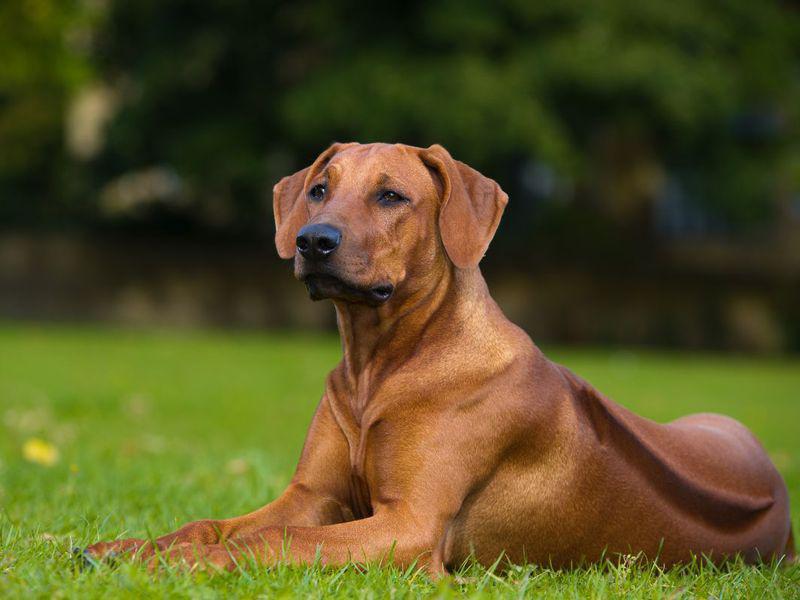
(650, 151)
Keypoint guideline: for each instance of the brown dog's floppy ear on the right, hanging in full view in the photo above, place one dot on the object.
(471, 207)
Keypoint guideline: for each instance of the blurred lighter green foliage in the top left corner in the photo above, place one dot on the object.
(44, 47)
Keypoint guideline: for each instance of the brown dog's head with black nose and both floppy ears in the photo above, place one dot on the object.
(365, 222)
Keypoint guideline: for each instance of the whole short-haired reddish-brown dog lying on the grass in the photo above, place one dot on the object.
(444, 431)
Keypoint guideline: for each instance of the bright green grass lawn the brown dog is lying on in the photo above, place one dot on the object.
(155, 429)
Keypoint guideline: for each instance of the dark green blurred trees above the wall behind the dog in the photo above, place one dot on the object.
(581, 105)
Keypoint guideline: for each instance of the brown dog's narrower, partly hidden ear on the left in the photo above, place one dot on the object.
(289, 204)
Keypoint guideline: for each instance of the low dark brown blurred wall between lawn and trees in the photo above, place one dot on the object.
(160, 282)
